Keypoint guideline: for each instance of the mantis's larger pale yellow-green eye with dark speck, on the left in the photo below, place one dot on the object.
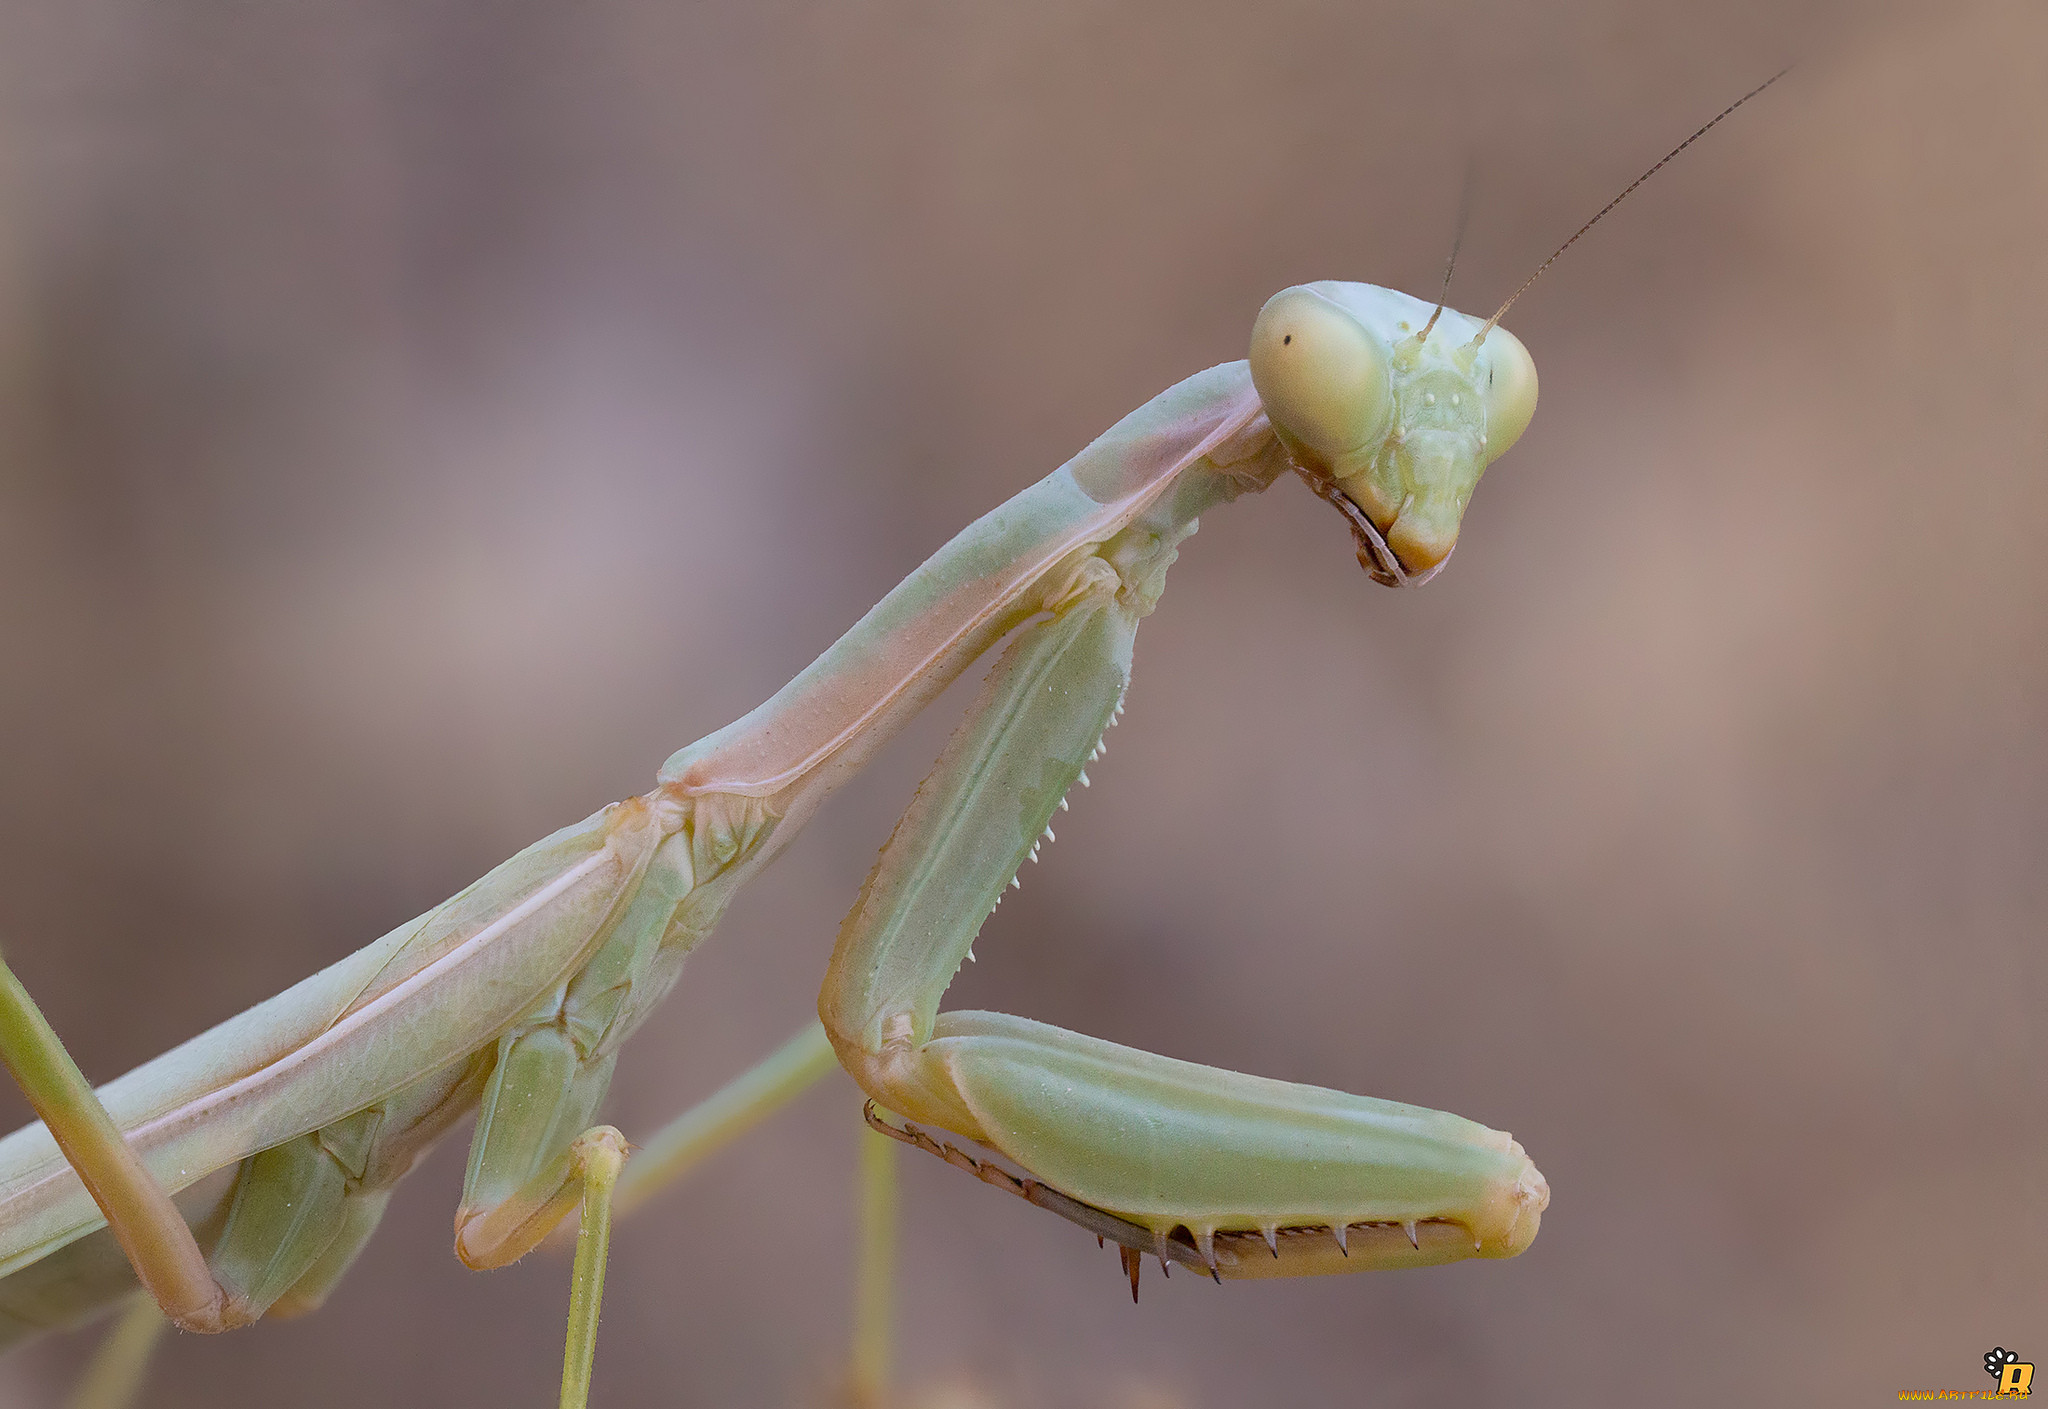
(1320, 374)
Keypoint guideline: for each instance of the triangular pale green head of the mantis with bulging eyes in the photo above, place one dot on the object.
(1400, 423)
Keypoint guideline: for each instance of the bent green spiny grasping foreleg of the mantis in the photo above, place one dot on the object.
(1191, 1154)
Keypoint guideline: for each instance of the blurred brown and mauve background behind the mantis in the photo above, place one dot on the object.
(421, 419)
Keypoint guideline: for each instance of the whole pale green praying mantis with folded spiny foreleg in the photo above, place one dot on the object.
(243, 1172)
